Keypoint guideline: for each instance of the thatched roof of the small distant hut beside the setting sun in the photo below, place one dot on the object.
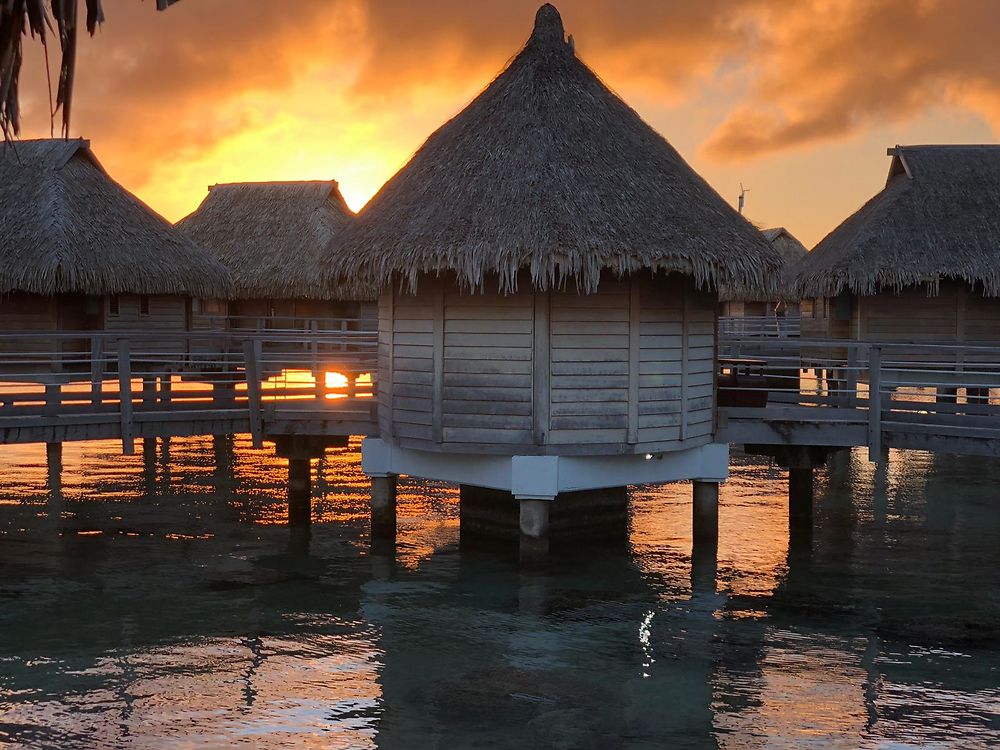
(274, 237)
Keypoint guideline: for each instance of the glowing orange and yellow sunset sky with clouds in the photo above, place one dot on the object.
(796, 100)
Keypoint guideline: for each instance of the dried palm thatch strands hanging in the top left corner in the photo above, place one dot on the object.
(18, 18)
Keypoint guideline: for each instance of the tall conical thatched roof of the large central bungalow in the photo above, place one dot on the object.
(549, 170)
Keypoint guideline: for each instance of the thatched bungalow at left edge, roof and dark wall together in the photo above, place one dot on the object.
(81, 253)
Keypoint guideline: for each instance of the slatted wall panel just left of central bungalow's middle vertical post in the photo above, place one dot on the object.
(487, 367)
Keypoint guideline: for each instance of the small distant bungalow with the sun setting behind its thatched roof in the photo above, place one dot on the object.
(274, 237)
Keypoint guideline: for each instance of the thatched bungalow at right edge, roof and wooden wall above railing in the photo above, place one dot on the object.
(919, 262)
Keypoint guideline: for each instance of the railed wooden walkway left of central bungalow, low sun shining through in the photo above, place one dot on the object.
(94, 385)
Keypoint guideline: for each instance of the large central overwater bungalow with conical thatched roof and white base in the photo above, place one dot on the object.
(549, 266)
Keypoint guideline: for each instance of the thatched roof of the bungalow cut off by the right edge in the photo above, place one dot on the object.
(937, 217)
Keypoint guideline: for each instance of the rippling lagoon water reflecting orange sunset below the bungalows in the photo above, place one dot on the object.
(159, 600)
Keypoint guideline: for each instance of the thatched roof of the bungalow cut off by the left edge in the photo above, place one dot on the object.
(66, 226)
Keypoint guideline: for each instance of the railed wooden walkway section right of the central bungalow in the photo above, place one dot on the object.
(936, 397)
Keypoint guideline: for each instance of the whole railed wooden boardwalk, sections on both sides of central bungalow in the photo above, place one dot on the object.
(774, 390)
